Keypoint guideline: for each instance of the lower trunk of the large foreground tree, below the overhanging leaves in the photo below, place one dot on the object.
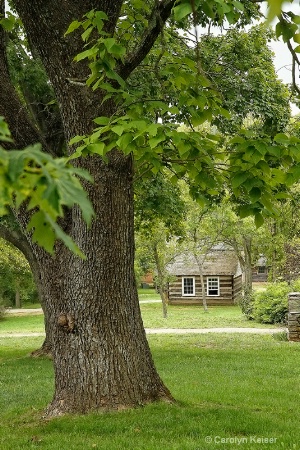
(101, 355)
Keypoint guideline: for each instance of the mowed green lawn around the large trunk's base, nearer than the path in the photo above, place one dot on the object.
(229, 387)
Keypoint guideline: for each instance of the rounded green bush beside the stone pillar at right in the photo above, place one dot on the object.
(271, 305)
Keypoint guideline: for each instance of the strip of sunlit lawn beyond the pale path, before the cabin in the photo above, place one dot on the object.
(178, 317)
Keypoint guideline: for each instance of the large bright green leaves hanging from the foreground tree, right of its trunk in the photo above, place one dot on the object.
(254, 169)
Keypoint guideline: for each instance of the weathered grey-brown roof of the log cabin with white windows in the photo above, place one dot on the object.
(219, 261)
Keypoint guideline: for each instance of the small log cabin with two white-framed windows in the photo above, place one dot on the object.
(222, 279)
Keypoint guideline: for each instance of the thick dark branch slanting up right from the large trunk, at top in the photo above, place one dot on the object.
(158, 17)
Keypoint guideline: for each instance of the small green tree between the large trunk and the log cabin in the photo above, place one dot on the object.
(159, 212)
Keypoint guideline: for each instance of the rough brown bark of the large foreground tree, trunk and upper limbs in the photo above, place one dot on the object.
(100, 351)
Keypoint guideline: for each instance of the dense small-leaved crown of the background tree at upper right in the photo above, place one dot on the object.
(240, 64)
